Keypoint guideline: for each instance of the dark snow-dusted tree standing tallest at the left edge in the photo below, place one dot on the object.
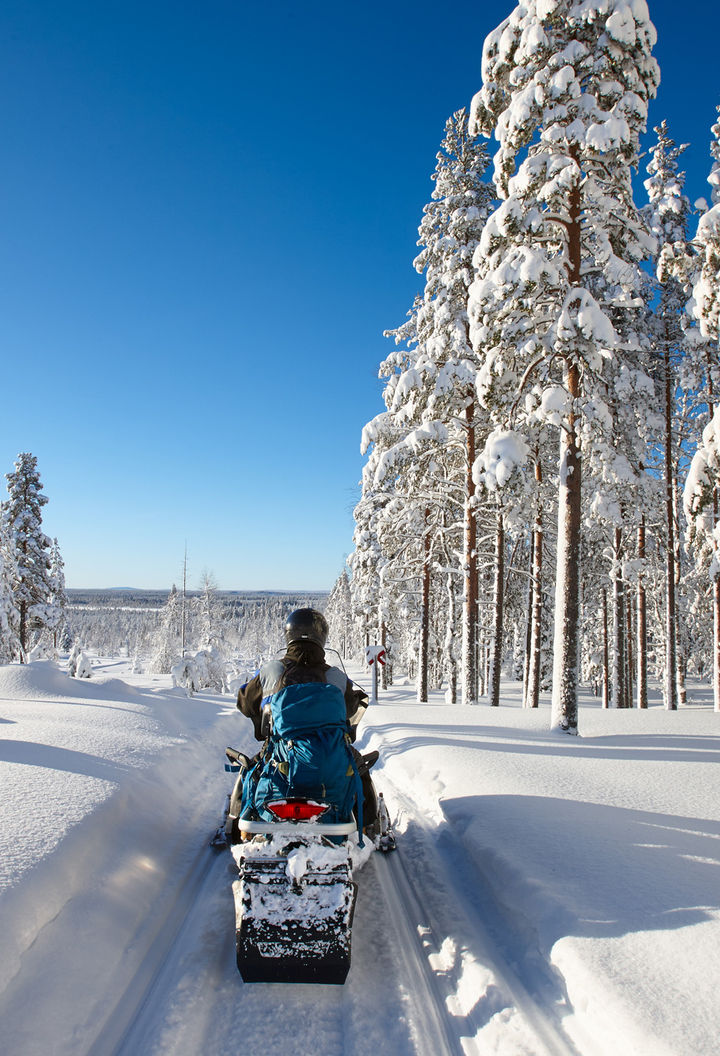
(33, 588)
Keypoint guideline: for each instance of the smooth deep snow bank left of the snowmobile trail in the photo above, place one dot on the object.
(80, 763)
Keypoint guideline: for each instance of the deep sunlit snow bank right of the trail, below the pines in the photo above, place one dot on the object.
(602, 854)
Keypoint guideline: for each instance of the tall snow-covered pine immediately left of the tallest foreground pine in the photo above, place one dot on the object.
(438, 368)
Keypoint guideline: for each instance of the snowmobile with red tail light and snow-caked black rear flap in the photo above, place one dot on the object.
(295, 894)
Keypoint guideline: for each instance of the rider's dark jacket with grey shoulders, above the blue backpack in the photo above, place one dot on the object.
(304, 663)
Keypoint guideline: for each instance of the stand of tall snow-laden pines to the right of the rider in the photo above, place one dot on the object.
(540, 497)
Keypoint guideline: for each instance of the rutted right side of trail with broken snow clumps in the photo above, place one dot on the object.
(446, 939)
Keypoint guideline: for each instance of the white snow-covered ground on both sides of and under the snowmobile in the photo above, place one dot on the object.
(593, 861)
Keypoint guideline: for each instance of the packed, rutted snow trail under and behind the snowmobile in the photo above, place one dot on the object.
(423, 956)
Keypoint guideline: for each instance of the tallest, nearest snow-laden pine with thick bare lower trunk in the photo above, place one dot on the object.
(565, 89)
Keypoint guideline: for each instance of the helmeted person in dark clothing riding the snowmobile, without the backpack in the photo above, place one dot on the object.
(305, 662)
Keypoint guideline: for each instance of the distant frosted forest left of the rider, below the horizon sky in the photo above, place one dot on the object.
(206, 638)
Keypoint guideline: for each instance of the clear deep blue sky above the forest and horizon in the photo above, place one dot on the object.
(210, 214)
